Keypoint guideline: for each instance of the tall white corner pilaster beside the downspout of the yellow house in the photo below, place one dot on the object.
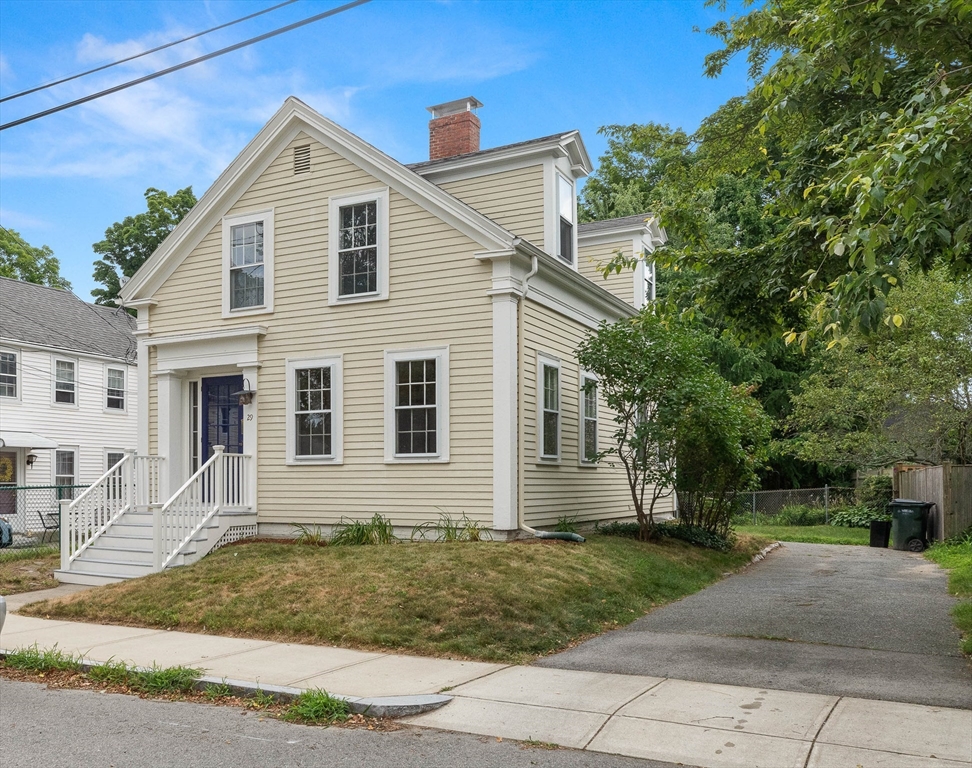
(505, 387)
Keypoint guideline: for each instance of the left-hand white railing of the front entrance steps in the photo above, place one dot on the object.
(88, 516)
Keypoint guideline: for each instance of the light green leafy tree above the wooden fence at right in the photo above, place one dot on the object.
(898, 394)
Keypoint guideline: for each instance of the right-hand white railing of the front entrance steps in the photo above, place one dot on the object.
(219, 484)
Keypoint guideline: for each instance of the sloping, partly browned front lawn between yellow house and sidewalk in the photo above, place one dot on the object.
(489, 601)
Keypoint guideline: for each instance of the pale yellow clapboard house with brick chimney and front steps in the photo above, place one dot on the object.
(331, 334)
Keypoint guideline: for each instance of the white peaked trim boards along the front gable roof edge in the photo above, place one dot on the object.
(292, 118)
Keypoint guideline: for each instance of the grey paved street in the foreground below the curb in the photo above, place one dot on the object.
(81, 729)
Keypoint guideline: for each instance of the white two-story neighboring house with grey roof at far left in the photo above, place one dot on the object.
(68, 404)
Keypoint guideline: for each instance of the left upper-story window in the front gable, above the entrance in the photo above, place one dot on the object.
(248, 263)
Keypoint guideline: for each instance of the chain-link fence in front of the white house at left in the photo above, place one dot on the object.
(30, 519)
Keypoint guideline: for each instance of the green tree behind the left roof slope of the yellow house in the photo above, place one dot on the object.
(129, 243)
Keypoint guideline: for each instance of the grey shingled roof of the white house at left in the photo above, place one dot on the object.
(50, 317)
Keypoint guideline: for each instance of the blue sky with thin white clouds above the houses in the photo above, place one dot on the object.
(538, 67)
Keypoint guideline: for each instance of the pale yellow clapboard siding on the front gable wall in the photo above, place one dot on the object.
(438, 297)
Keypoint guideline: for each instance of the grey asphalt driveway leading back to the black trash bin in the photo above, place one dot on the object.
(839, 620)
